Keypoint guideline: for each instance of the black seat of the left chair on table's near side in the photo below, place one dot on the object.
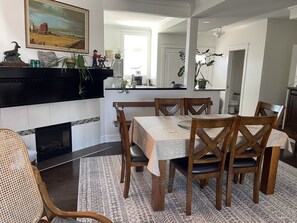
(197, 168)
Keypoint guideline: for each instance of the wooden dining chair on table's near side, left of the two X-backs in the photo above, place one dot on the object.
(207, 160)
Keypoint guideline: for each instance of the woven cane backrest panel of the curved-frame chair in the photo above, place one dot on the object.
(19, 195)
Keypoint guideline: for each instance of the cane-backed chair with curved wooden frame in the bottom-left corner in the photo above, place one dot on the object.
(23, 195)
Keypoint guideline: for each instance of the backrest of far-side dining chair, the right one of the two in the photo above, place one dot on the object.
(197, 106)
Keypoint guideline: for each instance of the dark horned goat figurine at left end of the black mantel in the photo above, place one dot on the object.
(12, 57)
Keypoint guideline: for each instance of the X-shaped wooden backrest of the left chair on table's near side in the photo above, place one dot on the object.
(214, 139)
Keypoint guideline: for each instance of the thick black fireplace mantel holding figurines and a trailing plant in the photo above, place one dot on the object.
(28, 86)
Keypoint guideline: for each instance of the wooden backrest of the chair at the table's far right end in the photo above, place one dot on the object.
(267, 109)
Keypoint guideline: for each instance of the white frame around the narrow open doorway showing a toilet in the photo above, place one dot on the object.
(231, 48)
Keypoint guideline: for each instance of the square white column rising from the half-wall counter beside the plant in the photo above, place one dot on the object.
(191, 45)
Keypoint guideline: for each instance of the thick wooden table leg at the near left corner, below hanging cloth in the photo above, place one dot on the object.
(158, 188)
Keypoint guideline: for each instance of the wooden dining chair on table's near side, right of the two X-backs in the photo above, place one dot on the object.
(247, 150)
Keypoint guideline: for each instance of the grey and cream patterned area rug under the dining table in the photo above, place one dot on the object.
(100, 190)
